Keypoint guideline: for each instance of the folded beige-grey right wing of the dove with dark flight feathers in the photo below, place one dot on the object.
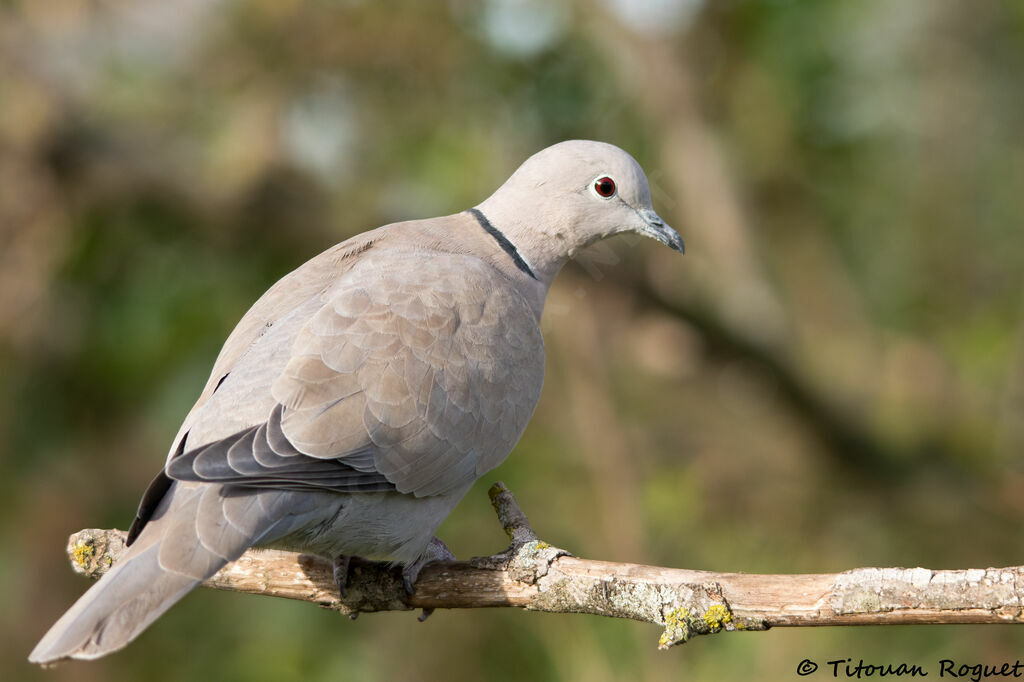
(418, 373)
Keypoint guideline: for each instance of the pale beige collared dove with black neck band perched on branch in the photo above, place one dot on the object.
(364, 394)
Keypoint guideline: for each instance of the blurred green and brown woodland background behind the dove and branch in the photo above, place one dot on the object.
(832, 377)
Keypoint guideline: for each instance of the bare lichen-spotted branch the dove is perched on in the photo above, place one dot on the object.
(536, 576)
